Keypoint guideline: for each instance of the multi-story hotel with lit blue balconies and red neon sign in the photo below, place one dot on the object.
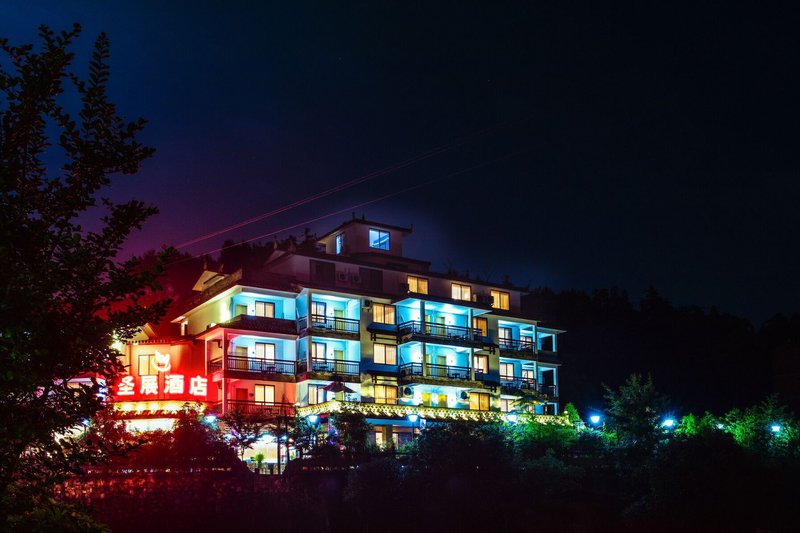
(350, 321)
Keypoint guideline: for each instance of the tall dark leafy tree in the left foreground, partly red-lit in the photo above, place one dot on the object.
(65, 293)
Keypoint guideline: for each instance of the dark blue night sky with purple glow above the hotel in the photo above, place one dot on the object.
(609, 145)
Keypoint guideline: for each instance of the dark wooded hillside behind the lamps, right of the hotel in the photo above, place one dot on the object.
(703, 359)
